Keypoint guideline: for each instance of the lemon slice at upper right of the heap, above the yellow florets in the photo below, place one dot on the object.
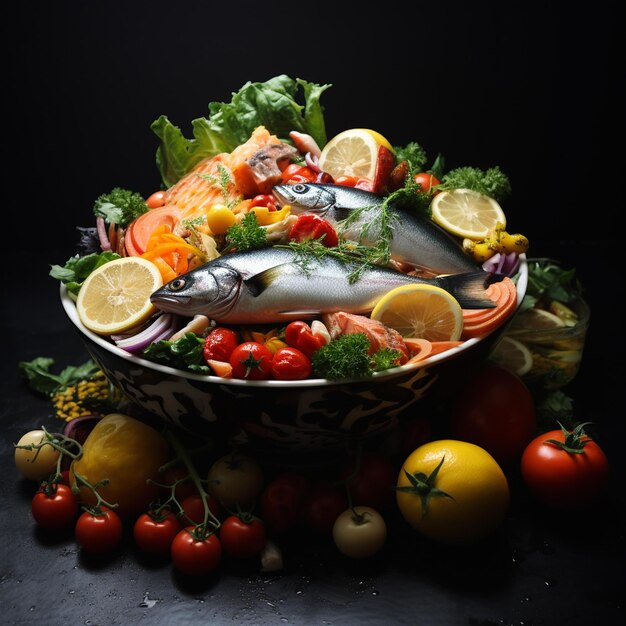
(467, 213)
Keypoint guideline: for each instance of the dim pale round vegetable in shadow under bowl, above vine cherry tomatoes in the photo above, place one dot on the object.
(234, 480)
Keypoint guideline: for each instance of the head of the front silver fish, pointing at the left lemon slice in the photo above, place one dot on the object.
(210, 291)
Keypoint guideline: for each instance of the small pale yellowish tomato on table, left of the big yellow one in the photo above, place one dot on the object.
(359, 532)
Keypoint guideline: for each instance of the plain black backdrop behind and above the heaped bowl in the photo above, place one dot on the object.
(526, 86)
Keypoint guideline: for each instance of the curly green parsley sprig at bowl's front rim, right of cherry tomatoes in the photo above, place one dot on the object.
(347, 357)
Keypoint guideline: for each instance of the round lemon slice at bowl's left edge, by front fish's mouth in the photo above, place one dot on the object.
(116, 296)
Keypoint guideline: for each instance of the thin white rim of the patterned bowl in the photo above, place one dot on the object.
(70, 309)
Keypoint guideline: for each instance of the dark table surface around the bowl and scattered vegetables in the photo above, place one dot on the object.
(540, 568)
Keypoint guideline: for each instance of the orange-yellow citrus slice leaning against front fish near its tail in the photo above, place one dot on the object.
(422, 311)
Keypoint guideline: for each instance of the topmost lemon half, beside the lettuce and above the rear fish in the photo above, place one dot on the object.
(353, 152)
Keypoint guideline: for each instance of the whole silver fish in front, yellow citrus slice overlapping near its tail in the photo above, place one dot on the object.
(278, 284)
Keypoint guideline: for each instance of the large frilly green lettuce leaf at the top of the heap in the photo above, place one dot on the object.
(271, 104)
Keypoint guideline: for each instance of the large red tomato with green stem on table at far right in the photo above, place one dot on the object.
(565, 470)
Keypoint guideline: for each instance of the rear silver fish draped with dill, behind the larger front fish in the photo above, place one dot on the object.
(416, 240)
